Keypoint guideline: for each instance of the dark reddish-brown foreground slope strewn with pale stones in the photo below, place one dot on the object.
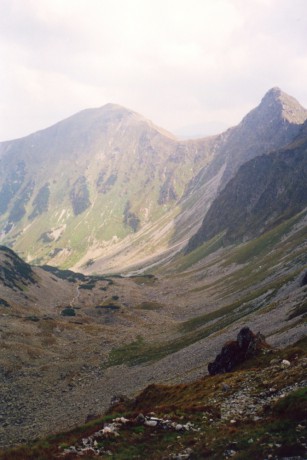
(258, 411)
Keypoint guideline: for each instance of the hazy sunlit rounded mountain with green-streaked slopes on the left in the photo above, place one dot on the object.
(90, 181)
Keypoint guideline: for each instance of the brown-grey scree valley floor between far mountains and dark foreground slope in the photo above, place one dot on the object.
(69, 344)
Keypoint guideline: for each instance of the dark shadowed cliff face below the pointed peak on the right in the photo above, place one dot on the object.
(266, 191)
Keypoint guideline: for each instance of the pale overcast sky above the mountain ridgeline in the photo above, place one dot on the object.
(188, 65)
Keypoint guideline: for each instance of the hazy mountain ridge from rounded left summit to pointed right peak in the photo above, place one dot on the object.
(107, 190)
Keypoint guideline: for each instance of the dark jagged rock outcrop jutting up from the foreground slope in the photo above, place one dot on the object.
(236, 352)
